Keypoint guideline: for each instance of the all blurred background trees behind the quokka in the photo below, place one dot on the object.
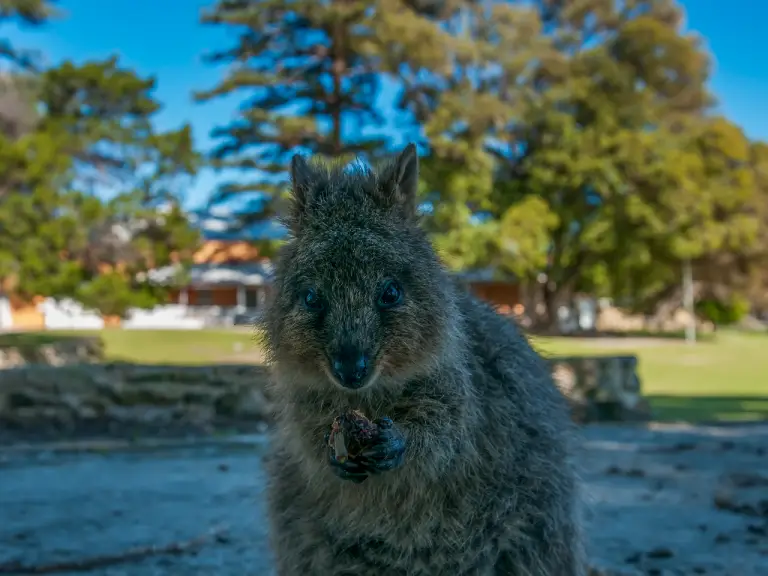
(572, 143)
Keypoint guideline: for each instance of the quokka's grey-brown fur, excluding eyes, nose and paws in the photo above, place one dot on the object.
(487, 487)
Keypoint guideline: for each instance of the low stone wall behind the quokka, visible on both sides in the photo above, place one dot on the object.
(123, 398)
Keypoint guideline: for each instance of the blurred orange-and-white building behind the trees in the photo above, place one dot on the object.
(227, 284)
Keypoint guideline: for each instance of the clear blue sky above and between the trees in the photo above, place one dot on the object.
(136, 29)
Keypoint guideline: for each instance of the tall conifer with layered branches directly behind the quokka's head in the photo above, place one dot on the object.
(310, 73)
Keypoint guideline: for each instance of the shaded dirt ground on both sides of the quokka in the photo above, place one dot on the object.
(658, 501)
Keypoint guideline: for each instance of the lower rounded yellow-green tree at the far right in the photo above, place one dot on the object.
(697, 205)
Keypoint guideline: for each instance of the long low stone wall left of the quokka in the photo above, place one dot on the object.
(126, 399)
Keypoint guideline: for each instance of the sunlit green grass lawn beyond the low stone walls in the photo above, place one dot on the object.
(720, 378)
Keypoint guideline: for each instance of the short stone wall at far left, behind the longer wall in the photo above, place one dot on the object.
(24, 350)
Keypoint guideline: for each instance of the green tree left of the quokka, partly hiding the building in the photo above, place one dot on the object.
(57, 237)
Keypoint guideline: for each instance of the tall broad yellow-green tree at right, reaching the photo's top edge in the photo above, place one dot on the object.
(620, 85)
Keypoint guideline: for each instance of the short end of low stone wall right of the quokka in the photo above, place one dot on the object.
(601, 388)
